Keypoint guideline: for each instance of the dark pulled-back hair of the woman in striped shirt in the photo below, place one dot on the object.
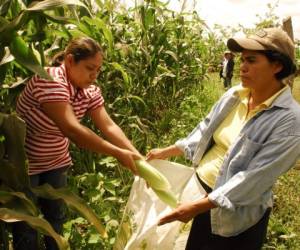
(81, 48)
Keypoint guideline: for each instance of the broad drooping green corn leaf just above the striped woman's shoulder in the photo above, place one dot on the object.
(24, 55)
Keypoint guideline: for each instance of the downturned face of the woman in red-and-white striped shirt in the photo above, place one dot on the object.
(83, 73)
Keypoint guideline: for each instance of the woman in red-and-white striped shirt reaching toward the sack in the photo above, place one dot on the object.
(52, 110)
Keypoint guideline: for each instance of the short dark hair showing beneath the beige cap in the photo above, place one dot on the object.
(289, 67)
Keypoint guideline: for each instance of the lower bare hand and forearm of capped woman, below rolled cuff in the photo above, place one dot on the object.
(187, 211)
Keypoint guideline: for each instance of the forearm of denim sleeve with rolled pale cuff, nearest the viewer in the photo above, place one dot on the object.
(251, 187)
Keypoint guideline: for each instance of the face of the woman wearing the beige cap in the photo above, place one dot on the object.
(256, 71)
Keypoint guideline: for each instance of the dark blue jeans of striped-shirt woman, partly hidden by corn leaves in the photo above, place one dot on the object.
(26, 238)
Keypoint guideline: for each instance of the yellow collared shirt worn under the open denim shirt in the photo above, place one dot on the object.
(227, 132)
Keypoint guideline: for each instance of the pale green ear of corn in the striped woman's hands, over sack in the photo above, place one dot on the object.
(153, 177)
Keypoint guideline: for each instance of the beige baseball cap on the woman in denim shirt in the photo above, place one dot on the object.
(265, 39)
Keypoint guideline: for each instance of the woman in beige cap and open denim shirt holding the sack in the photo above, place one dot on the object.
(250, 137)
